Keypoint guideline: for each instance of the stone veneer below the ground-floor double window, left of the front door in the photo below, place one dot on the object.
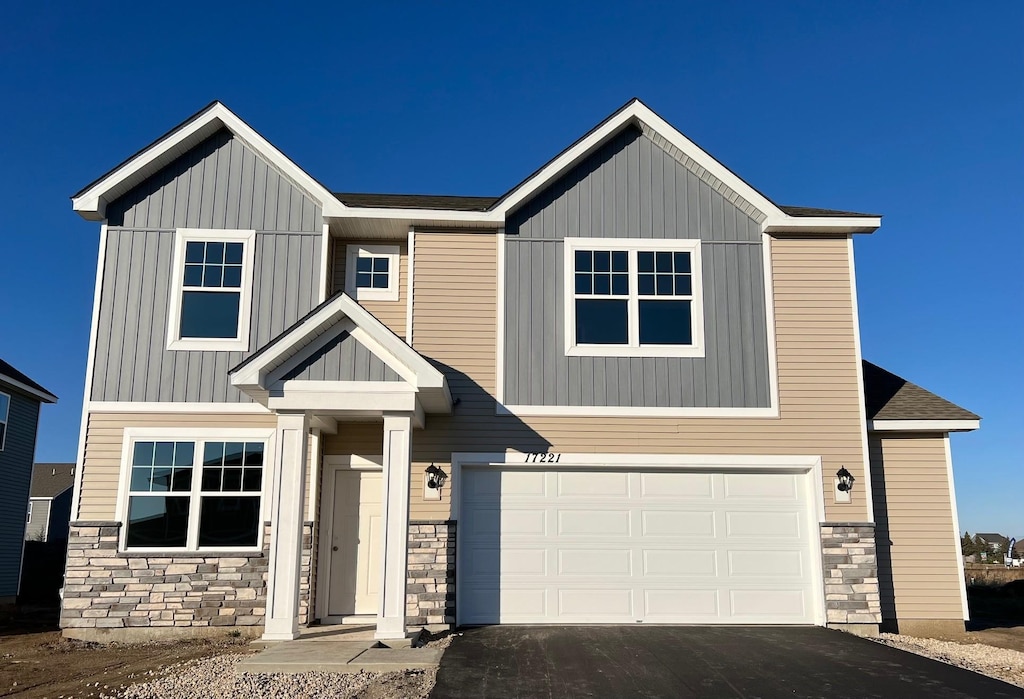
(110, 594)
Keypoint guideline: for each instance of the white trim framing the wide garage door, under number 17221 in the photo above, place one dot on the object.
(809, 465)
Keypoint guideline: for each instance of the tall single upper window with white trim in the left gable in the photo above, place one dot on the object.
(211, 297)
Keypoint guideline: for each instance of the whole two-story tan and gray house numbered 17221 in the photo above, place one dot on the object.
(628, 390)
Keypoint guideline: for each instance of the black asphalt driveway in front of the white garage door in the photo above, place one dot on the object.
(531, 663)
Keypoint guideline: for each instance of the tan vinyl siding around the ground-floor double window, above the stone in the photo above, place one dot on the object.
(104, 444)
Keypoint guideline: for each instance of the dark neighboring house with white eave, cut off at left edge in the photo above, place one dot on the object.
(20, 401)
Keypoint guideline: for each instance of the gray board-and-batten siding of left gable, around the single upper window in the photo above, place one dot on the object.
(221, 185)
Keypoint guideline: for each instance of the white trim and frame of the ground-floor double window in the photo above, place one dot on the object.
(133, 435)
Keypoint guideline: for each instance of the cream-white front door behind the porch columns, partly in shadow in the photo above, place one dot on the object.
(356, 544)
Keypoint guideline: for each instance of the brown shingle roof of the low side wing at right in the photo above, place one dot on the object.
(888, 397)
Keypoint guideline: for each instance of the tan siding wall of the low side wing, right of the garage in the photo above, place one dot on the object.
(919, 578)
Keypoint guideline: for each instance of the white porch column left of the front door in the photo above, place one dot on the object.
(286, 533)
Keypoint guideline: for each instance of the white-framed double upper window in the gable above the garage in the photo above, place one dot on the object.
(633, 298)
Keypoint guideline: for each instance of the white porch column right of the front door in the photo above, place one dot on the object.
(398, 458)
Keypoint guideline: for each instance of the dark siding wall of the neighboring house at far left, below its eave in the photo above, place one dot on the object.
(16, 465)
